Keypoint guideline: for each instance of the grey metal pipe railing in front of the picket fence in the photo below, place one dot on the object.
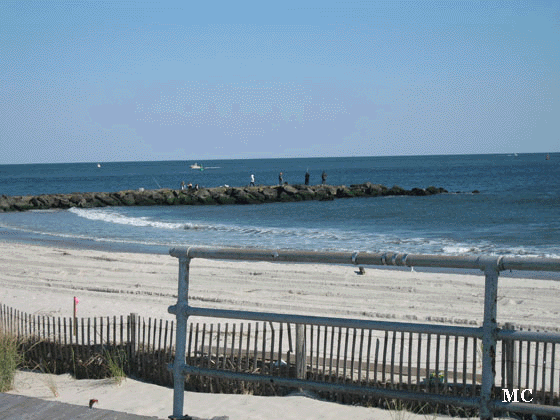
(489, 333)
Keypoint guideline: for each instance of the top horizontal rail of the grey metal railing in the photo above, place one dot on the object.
(367, 258)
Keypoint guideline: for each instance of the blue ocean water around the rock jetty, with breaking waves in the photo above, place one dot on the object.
(516, 213)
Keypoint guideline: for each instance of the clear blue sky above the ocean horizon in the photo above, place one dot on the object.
(89, 81)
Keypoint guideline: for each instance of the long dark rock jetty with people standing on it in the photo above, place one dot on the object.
(206, 196)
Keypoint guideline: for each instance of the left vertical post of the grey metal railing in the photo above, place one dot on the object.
(180, 346)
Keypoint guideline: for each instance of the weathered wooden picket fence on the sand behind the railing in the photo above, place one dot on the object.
(448, 364)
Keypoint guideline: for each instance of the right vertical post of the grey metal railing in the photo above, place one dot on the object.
(489, 330)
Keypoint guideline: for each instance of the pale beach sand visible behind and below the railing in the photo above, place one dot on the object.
(44, 280)
